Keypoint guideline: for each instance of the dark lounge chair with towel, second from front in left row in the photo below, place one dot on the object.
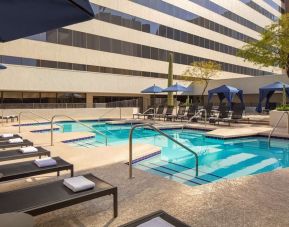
(29, 168)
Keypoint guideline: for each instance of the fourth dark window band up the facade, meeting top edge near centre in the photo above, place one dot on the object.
(193, 18)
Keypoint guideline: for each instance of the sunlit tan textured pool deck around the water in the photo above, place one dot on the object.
(259, 200)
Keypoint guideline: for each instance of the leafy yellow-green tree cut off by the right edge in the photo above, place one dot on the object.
(273, 47)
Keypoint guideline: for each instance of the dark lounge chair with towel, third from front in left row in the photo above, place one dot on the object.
(17, 154)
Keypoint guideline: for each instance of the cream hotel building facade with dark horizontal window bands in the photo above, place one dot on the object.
(125, 48)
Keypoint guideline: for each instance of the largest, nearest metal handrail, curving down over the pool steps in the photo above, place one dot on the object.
(164, 134)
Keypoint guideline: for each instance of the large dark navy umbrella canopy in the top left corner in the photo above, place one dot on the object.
(22, 18)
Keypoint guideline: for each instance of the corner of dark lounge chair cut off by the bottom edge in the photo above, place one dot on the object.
(158, 218)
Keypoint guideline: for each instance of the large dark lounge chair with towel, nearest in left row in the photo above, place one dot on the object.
(43, 198)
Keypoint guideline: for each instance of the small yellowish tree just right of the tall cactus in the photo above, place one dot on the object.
(202, 72)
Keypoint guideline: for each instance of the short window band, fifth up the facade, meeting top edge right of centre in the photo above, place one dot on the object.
(208, 4)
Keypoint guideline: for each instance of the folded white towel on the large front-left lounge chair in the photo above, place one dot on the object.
(77, 184)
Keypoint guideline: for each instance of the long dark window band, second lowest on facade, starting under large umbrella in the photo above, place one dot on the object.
(95, 42)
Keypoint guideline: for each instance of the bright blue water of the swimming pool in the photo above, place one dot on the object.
(218, 159)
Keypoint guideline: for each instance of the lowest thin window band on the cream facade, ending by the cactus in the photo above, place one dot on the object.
(80, 67)
